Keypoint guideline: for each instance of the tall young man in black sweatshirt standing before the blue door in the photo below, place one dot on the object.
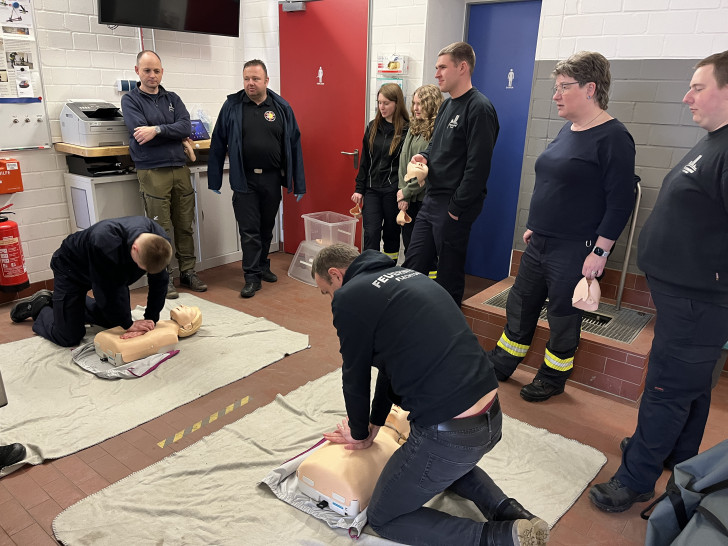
(458, 159)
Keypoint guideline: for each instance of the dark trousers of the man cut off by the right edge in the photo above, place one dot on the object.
(689, 335)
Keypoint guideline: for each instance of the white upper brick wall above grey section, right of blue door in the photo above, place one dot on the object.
(633, 29)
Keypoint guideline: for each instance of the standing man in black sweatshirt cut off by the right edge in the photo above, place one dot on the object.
(683, 250)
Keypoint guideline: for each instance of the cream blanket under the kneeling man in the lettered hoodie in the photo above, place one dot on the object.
(210, 492)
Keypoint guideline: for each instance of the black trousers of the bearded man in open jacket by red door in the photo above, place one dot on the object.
(255, 212)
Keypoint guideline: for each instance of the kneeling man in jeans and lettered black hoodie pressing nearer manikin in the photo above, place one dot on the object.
(435, 369)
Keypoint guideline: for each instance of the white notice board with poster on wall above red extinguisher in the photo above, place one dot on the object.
(22, 106)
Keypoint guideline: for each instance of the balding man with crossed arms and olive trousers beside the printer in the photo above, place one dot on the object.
(158, 123)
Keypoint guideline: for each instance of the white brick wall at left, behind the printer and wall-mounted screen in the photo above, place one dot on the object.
(81, 59)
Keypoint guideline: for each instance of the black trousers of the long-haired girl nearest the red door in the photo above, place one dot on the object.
(379, 214)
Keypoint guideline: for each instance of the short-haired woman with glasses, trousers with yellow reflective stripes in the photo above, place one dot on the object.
(582, 199)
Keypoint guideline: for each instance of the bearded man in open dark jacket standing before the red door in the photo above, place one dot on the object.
(256, 128)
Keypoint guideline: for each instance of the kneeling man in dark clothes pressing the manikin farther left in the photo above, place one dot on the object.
(106, 258)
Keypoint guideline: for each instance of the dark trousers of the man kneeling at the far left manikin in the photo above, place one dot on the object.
(65, 322)
